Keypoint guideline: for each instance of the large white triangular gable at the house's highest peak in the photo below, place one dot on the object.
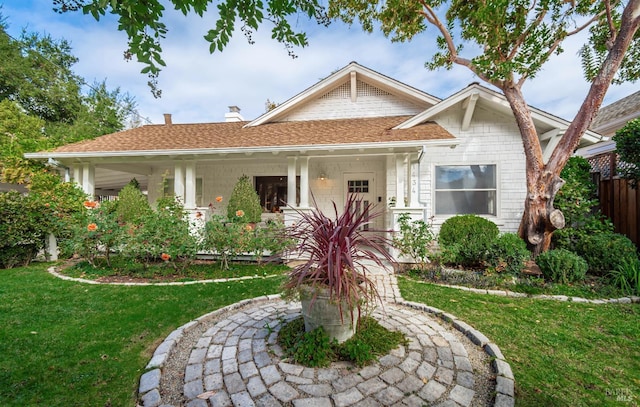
(351, 92)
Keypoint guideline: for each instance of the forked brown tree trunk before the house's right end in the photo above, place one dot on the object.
(540, 219)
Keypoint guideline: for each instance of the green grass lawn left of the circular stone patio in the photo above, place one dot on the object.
(70, 344)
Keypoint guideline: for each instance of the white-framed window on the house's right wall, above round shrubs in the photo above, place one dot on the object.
(466, 189)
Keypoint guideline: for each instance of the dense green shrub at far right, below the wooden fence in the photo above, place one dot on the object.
(606, 251)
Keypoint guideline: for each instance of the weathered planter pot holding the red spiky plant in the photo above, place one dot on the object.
(325, 312)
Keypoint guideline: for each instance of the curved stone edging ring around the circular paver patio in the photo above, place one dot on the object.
(149, 388)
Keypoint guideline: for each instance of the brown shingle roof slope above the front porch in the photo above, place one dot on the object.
(234, 135)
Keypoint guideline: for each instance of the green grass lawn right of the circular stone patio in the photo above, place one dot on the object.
(561, 353)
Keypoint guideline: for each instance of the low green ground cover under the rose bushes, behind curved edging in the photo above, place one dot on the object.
(121, 267)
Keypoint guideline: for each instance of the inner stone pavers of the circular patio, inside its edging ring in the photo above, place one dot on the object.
(238, 362)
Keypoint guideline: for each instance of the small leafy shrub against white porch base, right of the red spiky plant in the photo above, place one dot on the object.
(413, 239)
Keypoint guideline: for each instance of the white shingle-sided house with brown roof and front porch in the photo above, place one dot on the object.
(356, 131)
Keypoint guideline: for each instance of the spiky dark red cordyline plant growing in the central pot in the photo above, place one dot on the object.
(336, 253)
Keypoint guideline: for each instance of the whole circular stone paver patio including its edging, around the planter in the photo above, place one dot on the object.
(230, 358)
